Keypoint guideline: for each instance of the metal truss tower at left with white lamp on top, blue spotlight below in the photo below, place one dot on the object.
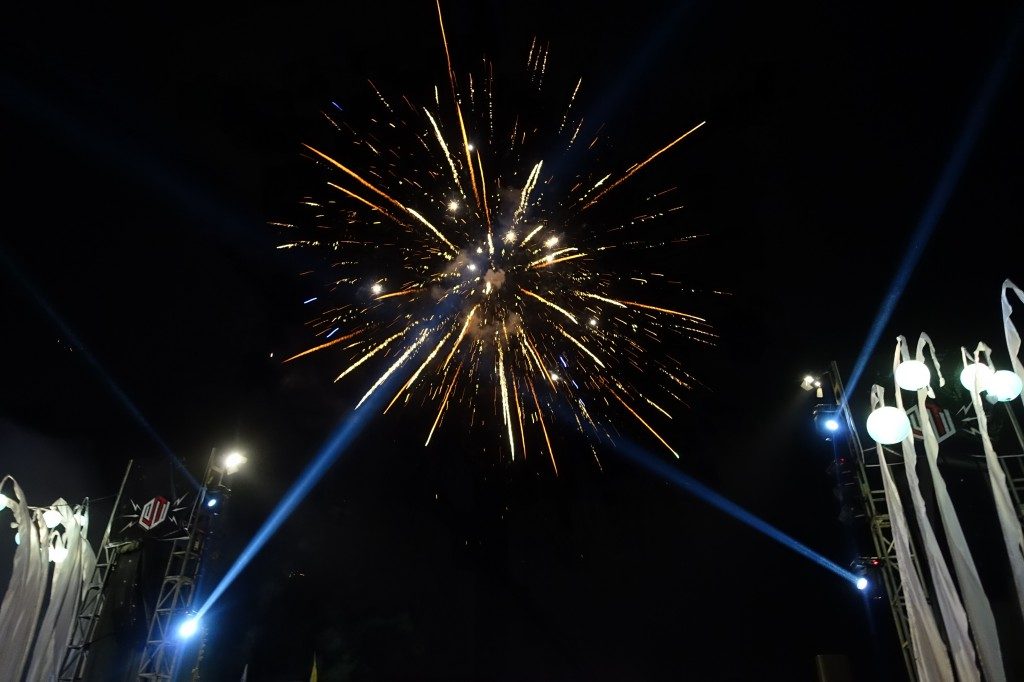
(163, 645)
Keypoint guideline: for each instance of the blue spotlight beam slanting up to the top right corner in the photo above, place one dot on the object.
(940, 199)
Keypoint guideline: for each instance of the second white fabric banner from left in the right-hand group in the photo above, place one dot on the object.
(952, 610)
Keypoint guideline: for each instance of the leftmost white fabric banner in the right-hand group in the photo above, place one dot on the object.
(930, 656)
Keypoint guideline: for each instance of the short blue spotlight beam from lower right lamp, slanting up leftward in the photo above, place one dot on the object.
(694, 487)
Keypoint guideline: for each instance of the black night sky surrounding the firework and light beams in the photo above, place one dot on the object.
(145, 152)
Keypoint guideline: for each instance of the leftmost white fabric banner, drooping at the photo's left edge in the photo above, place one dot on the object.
(24, 600)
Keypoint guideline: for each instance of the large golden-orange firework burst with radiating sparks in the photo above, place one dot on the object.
(465, 258)
